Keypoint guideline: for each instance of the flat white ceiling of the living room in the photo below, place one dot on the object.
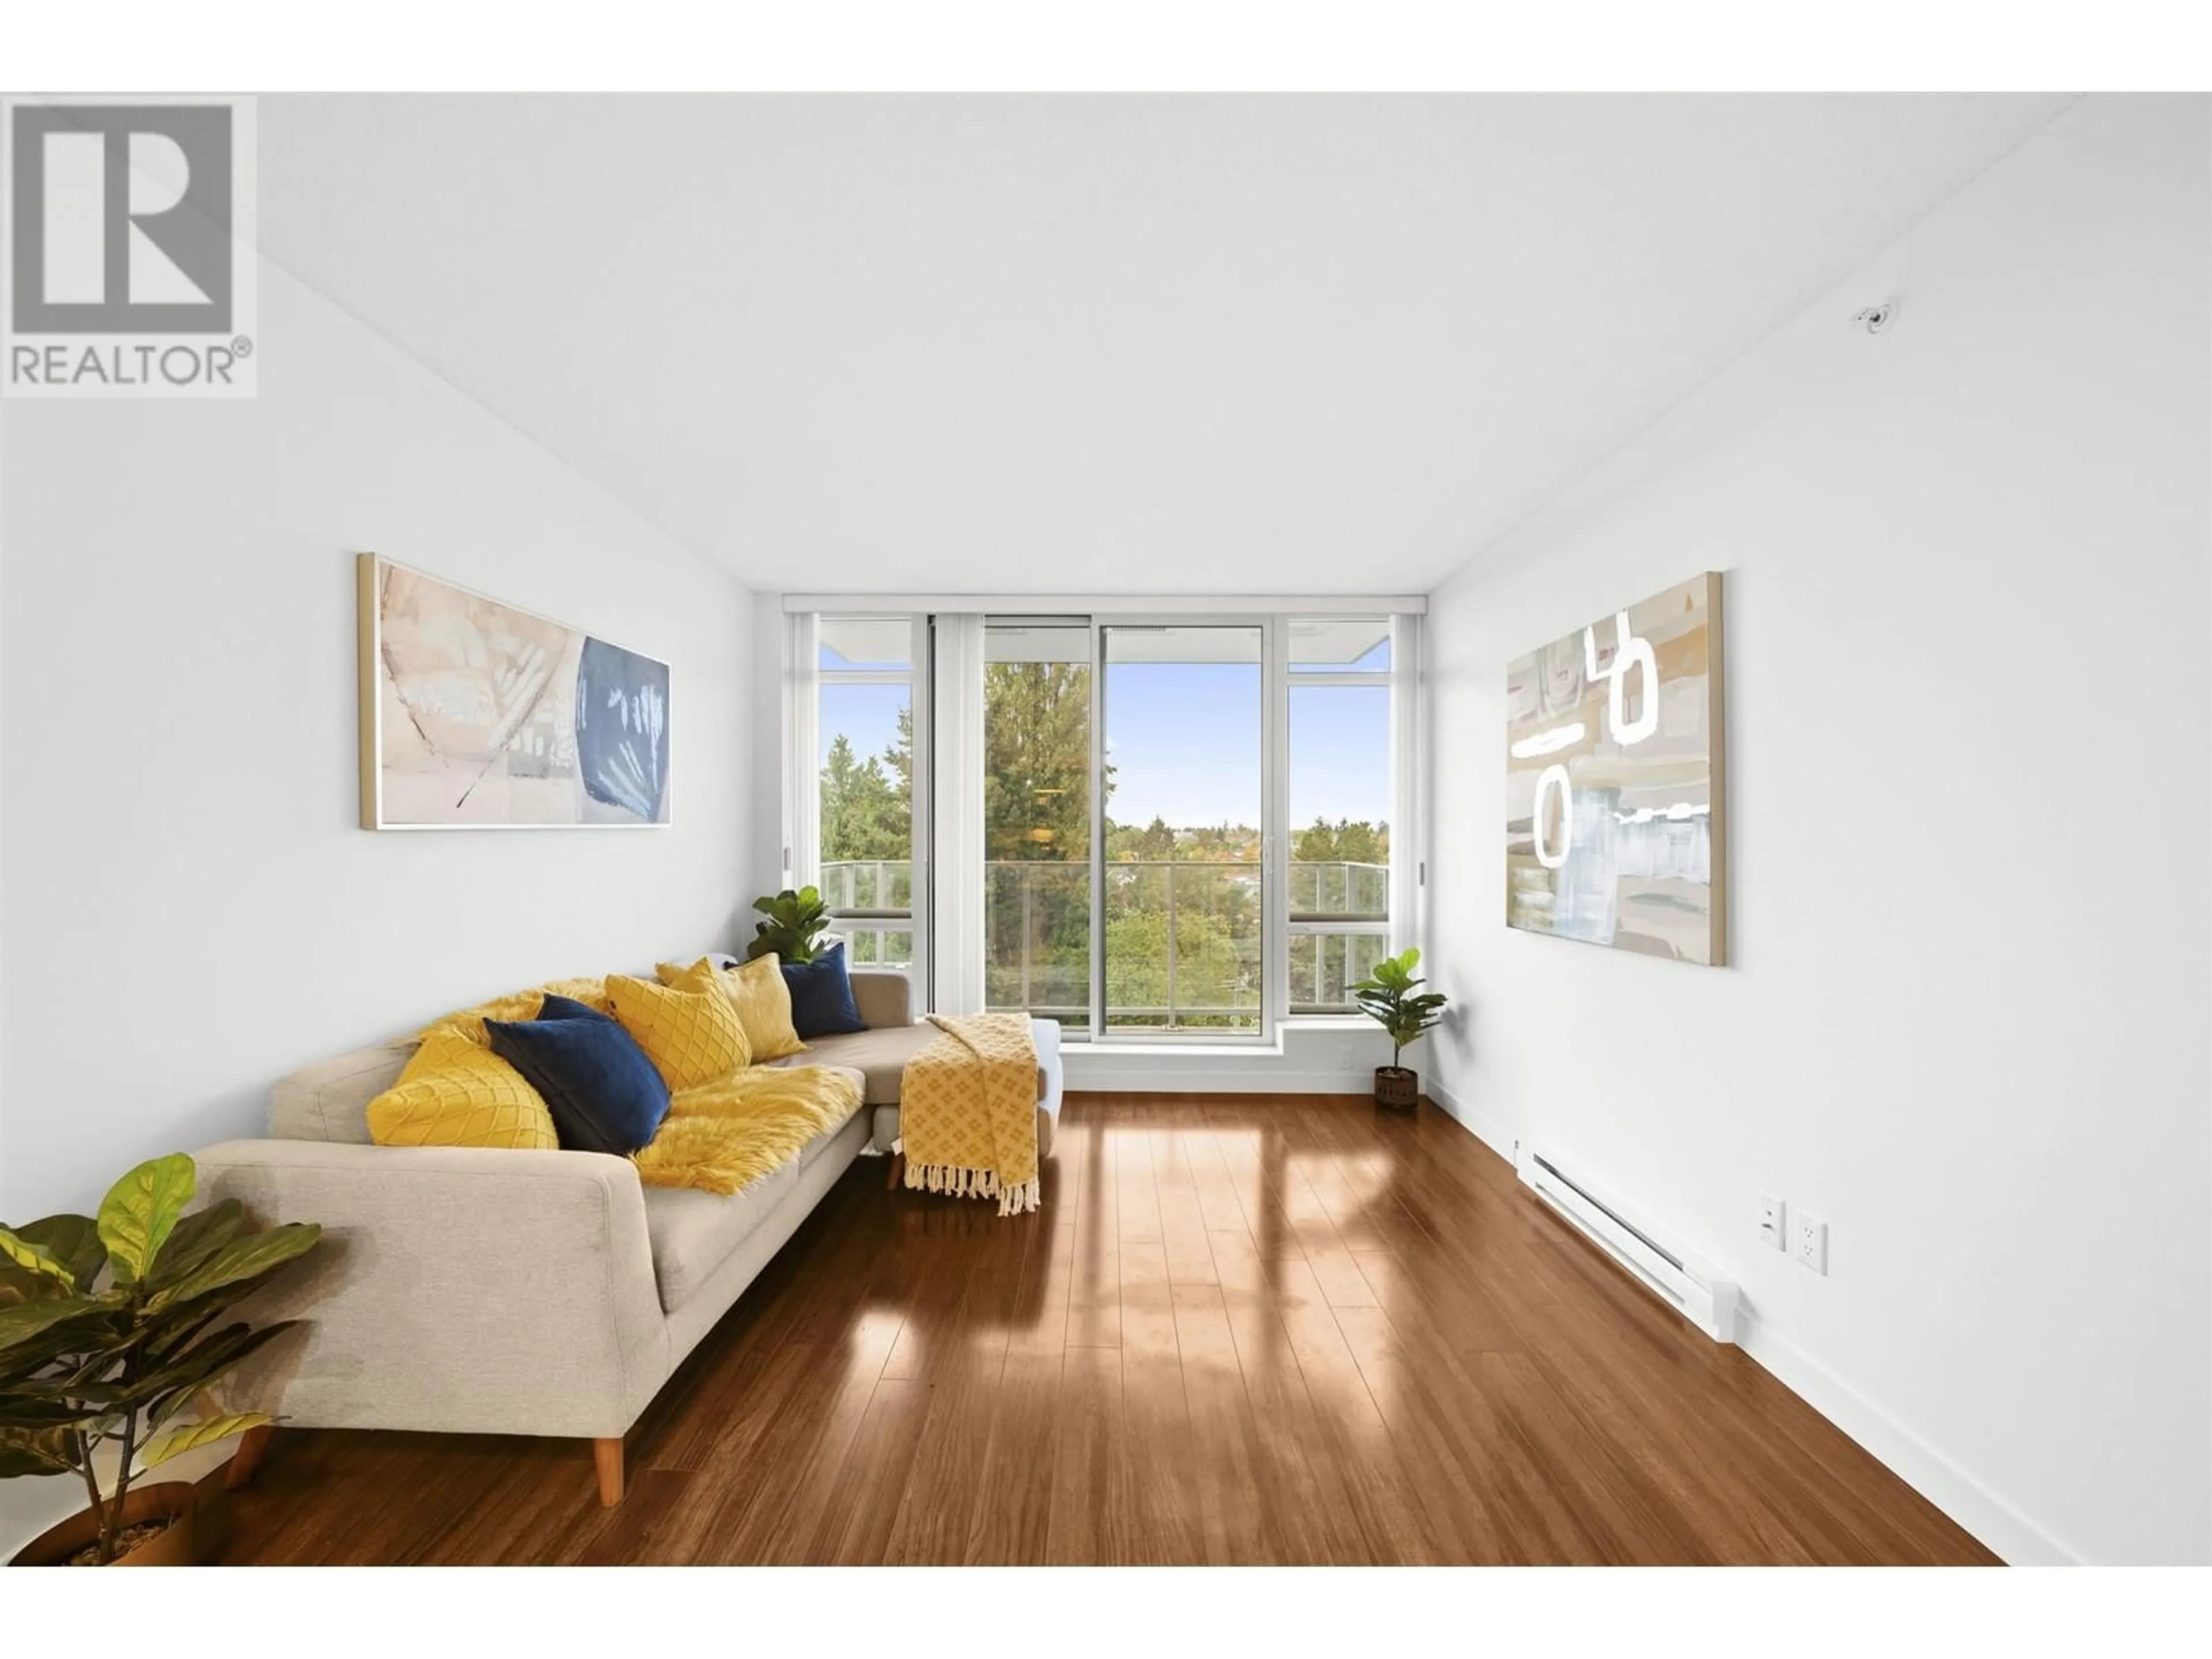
(1096, 344)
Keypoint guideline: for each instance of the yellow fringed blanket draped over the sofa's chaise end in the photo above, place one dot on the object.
(968, 1112)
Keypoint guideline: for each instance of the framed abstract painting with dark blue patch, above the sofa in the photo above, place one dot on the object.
(479, 716)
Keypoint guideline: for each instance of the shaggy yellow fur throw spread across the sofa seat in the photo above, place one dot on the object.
(729, 1134)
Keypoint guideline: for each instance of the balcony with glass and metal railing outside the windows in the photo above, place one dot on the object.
(1182, 937)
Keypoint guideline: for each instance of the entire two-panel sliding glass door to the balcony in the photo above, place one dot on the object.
(1125, 826)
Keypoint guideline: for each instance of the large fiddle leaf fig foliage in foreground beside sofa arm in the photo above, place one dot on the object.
(112, 1331)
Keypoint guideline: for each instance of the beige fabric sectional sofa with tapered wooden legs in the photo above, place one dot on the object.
(477, 1291)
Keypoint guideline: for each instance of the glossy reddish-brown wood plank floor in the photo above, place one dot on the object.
(1240, 1331)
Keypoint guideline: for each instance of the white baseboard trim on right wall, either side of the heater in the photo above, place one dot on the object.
(2010, 1534)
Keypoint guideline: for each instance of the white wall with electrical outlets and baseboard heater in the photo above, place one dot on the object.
(1968, 691)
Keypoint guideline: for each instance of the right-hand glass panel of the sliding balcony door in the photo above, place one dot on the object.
(1180, 870)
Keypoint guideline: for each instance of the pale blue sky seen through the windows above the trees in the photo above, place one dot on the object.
(1185, 744)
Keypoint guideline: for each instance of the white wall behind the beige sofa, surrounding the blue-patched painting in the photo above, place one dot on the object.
(189, 904)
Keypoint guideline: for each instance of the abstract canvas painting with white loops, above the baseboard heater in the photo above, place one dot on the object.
(1616, 804)
